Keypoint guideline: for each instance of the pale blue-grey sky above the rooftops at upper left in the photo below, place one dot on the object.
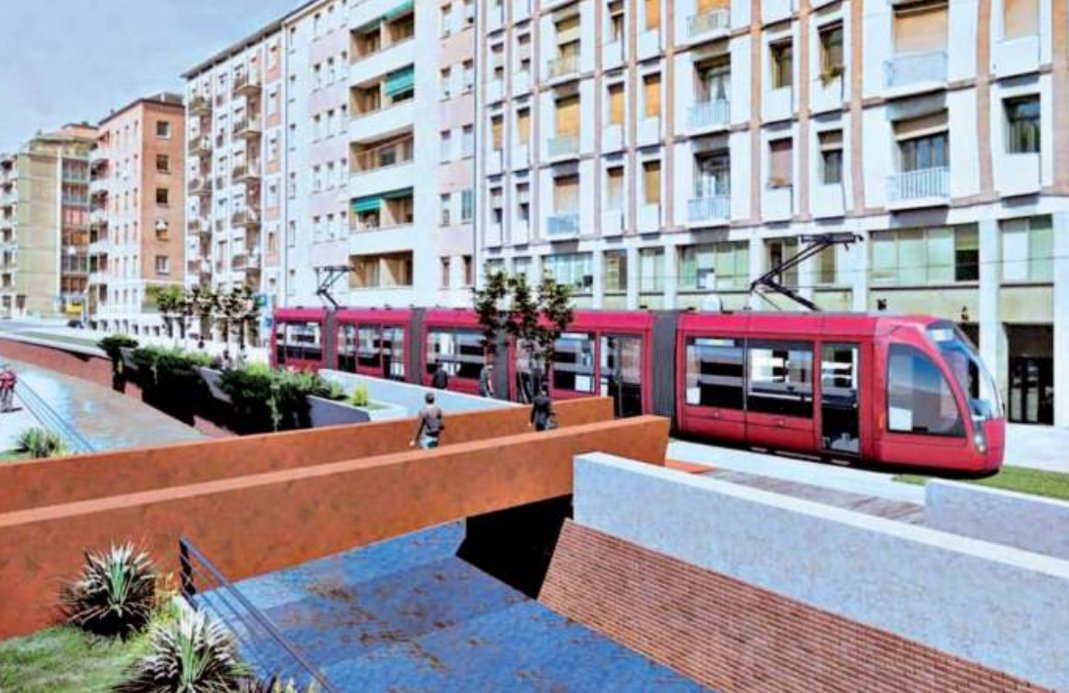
(79, 60)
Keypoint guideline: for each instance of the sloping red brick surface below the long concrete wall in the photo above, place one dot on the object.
(734, 637)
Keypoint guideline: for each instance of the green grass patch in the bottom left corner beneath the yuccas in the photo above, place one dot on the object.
(67, 659)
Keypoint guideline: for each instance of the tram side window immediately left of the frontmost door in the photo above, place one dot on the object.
(781, 379)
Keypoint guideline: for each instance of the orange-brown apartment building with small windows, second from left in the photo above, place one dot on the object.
(137, 215)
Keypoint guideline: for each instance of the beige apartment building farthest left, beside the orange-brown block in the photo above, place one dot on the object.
(44, 226)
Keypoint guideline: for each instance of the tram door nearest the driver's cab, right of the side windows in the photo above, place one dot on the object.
(840, 411)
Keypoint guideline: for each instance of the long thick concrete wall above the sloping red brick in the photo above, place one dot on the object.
(987, 604)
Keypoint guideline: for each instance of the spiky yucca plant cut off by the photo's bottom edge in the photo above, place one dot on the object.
(192, 655)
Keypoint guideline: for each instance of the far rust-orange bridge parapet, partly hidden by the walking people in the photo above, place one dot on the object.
(33, 485)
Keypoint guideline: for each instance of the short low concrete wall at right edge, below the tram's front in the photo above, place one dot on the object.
(1029, 522)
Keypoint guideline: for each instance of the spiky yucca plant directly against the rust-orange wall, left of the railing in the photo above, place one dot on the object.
(116, 594)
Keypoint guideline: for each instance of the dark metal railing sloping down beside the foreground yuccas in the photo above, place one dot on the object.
(207, 590)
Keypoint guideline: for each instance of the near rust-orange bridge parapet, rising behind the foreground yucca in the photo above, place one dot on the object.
(255, 525)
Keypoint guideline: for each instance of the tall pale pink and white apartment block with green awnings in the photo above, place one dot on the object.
(333, 174)
